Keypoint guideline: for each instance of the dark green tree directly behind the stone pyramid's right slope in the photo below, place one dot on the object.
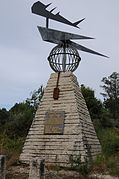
(99, 115)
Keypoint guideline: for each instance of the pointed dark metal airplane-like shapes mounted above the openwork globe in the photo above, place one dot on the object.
(55, 36)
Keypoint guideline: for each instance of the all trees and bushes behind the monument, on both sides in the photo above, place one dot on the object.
(15, 123)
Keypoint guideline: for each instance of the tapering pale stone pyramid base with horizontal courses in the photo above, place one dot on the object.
(61, 128)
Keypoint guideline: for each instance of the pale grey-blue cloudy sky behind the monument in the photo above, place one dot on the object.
(23, 54)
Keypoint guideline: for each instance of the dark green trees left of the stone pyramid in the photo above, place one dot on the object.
(20, 116)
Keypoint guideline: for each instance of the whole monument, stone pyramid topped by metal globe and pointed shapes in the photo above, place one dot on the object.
(62, 127)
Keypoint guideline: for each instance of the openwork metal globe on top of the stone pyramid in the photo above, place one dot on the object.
(64, 57)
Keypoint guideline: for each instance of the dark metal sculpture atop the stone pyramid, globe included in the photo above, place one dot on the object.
(64, 57)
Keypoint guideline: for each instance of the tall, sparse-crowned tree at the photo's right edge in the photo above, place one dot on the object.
(111, 94)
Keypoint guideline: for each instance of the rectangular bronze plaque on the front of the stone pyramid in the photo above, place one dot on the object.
(54, 122)
